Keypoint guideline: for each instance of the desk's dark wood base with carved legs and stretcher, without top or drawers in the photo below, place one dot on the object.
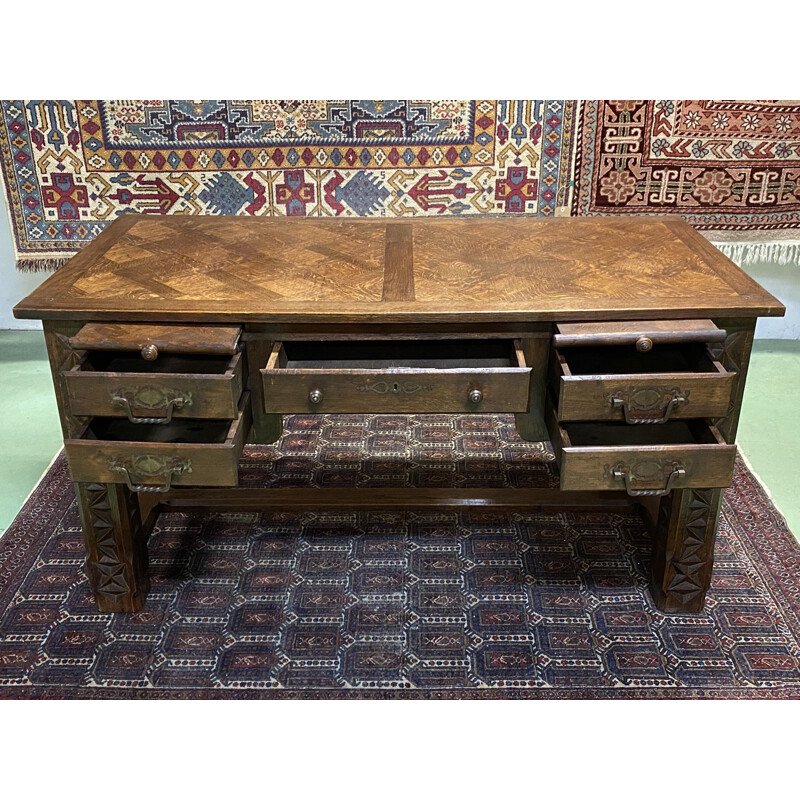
(683, 523)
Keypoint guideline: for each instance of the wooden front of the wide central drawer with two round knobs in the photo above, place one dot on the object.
(394, 390)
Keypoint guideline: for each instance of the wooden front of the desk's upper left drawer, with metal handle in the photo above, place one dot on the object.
(156, 397)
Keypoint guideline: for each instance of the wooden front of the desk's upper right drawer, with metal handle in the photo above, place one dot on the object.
(641, 398)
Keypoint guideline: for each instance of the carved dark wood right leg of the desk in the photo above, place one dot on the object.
(683, 542)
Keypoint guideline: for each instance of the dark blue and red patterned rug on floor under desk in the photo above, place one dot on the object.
(480, 604)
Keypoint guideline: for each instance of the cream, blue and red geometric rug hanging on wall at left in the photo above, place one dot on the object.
(71, 167)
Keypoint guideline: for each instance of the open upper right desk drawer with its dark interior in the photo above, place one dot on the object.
(681, 380)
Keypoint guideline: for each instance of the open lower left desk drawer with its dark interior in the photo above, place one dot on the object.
(152, 458)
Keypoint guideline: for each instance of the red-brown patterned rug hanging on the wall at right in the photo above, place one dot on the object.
(720, 164)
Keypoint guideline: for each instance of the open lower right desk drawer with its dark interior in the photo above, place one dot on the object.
(643, 460)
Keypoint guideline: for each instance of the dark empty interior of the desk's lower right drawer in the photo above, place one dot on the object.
(619, 434)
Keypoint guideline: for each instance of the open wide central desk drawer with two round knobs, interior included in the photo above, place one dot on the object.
(406, 377)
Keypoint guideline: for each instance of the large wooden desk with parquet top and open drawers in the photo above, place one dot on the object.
(173, 341)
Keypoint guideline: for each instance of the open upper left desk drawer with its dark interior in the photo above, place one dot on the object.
(120, 383)
